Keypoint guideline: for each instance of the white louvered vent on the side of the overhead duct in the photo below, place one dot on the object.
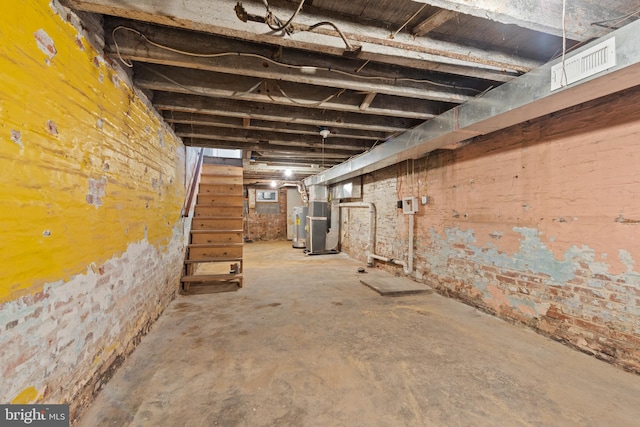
(577, 67)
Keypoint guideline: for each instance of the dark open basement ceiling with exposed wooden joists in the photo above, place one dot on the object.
(225, 76)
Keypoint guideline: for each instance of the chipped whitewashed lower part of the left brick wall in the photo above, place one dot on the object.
(76, 325)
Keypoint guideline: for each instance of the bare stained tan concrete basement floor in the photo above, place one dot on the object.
(305, 344)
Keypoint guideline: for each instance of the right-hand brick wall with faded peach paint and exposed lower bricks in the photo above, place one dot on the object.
(538, 223)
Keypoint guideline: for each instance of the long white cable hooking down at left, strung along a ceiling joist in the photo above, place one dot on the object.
(303, 68)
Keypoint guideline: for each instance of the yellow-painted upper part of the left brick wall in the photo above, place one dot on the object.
(85, 168)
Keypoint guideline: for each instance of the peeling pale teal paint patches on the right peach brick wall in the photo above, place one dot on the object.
(533, 257)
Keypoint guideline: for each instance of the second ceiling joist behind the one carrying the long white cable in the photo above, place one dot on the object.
(236, 108)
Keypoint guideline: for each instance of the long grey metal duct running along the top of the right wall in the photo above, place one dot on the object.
(522, 99)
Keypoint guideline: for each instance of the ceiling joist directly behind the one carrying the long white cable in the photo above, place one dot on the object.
(181, 80)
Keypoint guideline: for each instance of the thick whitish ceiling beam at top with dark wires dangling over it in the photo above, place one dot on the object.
(220, 18)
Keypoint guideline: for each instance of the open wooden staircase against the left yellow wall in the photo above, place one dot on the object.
(214, 252)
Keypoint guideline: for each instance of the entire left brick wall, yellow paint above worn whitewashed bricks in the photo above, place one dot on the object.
(91, 187)
